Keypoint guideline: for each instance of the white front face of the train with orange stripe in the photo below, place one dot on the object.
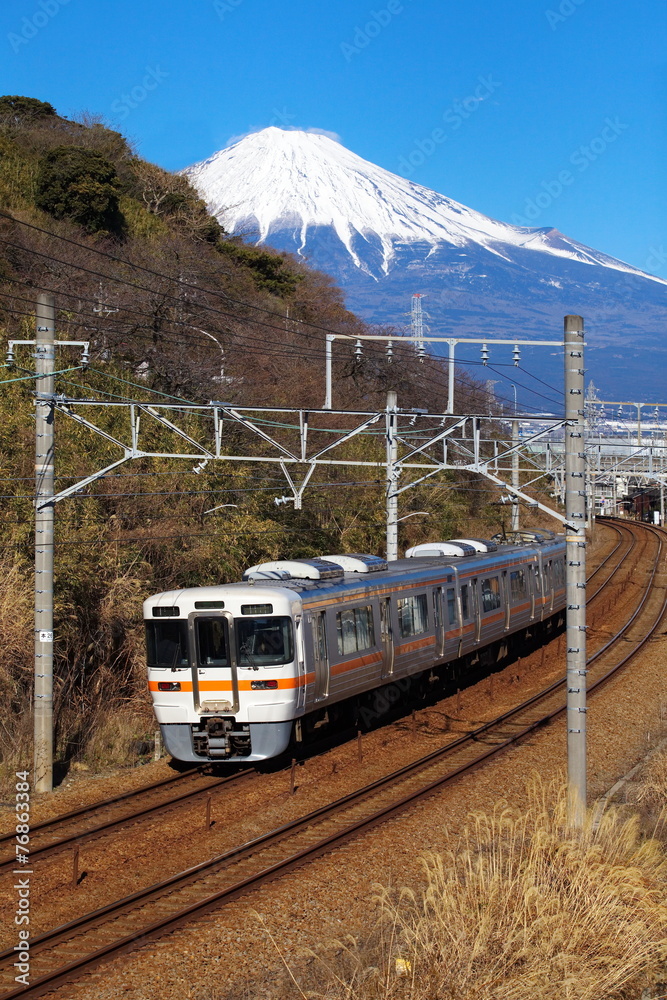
(223, 670)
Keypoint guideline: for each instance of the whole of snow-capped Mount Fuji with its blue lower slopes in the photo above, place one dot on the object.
(383, 237)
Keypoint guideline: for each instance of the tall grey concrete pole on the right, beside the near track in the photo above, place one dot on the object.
(575, 558)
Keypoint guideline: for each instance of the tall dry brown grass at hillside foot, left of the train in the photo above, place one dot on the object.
(102, 710)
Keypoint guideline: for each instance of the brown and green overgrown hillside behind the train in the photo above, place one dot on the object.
(167, 299)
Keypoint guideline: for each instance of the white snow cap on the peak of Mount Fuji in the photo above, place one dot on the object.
(285, 179)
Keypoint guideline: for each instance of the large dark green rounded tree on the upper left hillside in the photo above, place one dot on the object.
(80, 184)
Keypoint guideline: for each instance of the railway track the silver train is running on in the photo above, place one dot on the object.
(90, 822)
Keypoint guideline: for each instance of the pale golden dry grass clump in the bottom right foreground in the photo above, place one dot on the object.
(521, 908)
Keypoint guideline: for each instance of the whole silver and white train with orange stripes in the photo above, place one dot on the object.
(235, 671)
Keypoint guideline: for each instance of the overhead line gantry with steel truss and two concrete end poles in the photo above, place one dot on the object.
(417, 447)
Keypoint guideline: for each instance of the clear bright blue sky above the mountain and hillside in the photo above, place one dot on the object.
(569, 131)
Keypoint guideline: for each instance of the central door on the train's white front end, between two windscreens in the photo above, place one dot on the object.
(214, 673)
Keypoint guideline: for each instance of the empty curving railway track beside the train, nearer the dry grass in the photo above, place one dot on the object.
(68, 951)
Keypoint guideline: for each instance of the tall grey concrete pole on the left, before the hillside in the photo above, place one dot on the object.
(44, 477)
